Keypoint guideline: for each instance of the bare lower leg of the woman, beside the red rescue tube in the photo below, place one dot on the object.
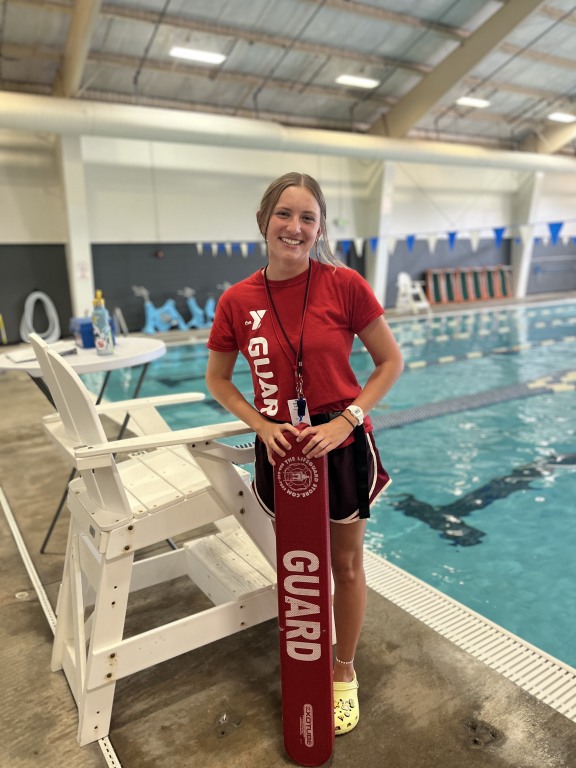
(347, 550)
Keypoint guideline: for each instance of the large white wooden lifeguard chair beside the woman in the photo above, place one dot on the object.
(168, 483)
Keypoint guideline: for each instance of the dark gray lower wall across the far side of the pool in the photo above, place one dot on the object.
(117, 267)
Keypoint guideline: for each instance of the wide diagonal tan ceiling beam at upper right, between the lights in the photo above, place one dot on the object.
(398, 121)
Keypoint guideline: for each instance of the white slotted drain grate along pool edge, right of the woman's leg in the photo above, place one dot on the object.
(546, 678)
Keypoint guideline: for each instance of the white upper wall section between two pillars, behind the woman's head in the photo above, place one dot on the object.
(149, 191)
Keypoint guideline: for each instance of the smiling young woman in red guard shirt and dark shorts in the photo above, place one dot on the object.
(294, 321)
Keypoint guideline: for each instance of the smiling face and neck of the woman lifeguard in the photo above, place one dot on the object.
(292, 230)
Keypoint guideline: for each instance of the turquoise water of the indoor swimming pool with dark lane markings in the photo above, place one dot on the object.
(479, 438)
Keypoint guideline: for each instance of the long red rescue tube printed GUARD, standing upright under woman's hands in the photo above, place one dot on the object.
(304, 605)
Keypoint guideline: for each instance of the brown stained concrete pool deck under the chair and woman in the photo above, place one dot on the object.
(425, 703)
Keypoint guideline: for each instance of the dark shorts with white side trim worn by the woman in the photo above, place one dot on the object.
(342, 487)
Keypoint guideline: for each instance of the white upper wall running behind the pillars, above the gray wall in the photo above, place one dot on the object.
(141, 191)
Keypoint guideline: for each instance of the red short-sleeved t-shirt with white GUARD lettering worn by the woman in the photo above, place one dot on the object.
(340, 305)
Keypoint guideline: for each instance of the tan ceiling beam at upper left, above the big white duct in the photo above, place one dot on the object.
(69, 76)
